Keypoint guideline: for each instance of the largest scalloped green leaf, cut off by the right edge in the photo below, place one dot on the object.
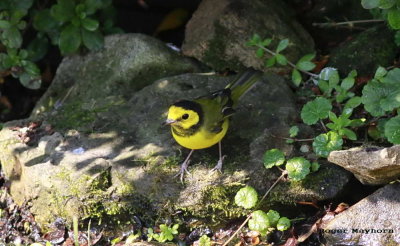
(382, 94)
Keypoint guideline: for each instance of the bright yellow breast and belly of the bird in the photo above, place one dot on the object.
(202, 139)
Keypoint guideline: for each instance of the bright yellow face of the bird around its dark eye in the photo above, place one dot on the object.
(181, 117)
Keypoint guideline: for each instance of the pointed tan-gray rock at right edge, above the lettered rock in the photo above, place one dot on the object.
(373, 166)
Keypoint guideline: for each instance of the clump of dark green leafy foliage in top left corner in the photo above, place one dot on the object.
(70, 25)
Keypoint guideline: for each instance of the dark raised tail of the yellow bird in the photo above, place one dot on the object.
(244, 83)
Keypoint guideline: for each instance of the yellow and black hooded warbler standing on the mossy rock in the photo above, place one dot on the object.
(203, 122)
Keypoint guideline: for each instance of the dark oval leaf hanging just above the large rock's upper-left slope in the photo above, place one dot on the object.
(70, 39)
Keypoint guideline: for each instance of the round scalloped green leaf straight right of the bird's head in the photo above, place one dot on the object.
(315, 110)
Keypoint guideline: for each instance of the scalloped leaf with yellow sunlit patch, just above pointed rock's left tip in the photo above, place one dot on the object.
(325, 143)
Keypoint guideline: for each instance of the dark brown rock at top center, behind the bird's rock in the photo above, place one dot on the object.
(218, 31)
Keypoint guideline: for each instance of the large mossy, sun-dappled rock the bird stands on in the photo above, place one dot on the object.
(103, 152)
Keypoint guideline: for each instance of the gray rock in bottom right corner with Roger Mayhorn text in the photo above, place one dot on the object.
(373, 221)
